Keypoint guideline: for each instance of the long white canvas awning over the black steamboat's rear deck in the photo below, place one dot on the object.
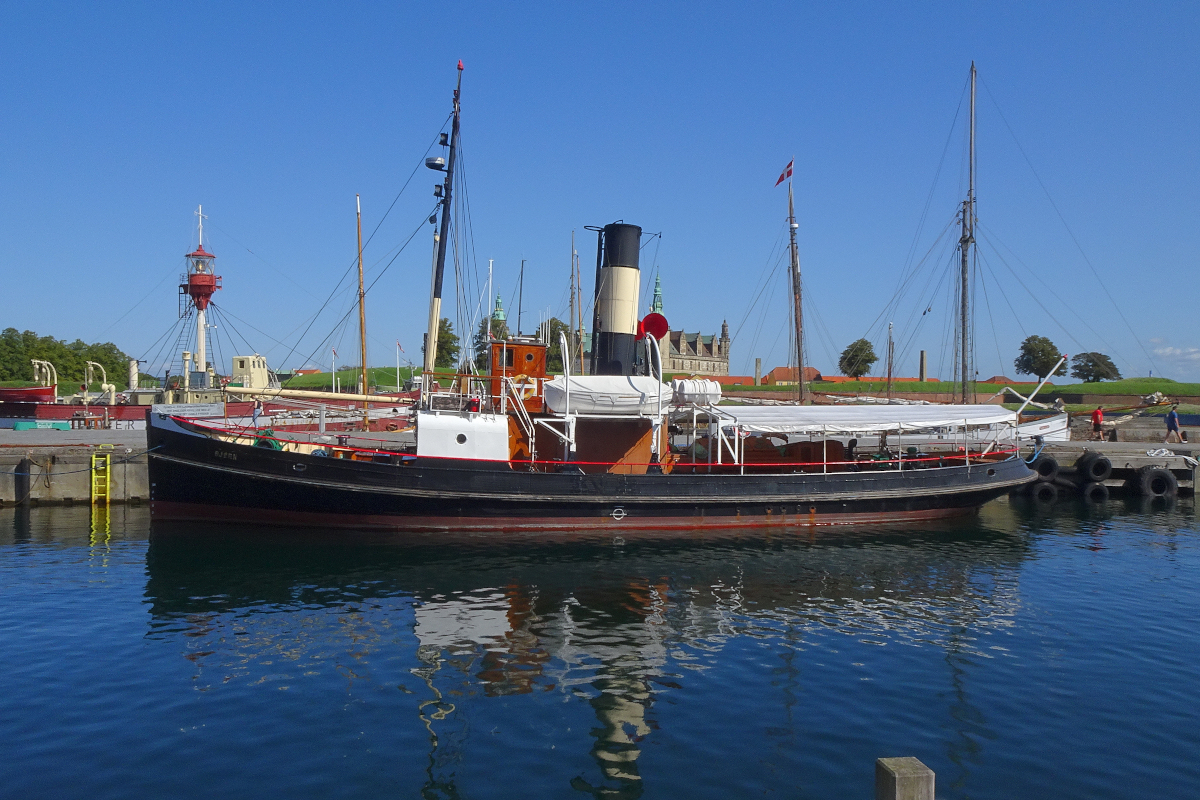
(865, 419)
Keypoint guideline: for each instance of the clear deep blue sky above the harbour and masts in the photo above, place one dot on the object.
(121, 119)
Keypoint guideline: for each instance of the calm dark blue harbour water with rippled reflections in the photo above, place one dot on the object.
(1025, 654)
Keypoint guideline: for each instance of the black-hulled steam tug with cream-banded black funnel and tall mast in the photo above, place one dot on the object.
(616, 449)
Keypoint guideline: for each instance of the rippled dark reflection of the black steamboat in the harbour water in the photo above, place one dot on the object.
(621, 625)
